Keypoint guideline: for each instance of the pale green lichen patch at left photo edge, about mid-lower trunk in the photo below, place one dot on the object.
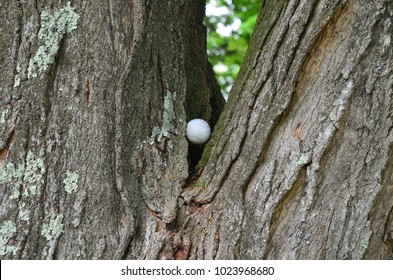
(29, 175)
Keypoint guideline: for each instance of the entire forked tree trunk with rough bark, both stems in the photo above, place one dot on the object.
(95, 97)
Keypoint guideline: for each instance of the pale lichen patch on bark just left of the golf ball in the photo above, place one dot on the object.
(168, 117)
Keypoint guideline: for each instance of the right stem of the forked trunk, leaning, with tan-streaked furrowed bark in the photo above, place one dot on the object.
(301, 167)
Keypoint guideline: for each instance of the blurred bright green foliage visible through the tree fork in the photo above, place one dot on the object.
(229, 24)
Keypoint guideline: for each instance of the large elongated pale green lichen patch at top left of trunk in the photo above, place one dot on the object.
(53, 28)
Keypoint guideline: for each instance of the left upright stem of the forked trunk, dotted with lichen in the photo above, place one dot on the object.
(111, 111)
